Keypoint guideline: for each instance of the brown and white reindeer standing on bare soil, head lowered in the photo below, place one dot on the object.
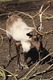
(20, 32)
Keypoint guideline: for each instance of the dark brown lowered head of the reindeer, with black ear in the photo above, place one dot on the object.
(36, 39)
